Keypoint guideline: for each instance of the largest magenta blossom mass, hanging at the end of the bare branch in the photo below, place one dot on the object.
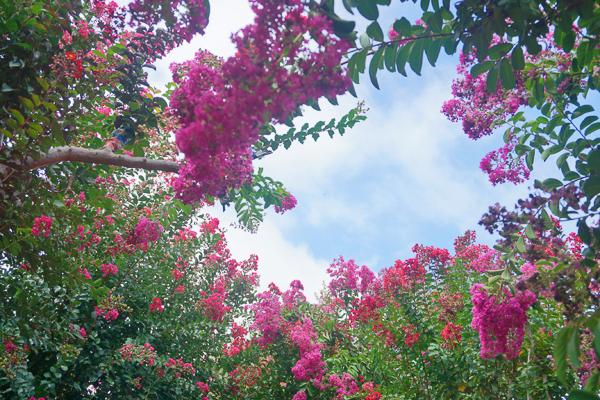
(221, 108)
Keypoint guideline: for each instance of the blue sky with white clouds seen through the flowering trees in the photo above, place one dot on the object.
(404, 176)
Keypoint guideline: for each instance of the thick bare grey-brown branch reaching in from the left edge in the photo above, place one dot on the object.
(98, 156)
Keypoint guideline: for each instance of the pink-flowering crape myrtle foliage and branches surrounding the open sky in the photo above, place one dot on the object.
(103, 277)
